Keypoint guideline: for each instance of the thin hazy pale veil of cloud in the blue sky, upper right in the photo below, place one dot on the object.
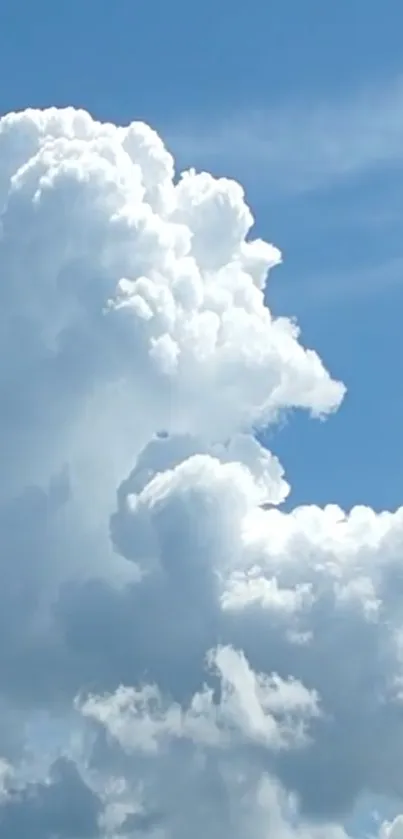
(301, 146)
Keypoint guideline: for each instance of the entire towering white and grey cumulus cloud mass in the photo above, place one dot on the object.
(180, 658)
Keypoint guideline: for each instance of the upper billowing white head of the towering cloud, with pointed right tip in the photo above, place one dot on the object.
(107, 285)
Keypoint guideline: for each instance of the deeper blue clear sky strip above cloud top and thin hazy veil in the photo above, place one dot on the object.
(160, 57)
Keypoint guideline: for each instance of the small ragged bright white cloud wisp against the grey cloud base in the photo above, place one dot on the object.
(256, 708)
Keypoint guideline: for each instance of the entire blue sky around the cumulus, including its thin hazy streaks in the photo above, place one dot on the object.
(302, 101)
